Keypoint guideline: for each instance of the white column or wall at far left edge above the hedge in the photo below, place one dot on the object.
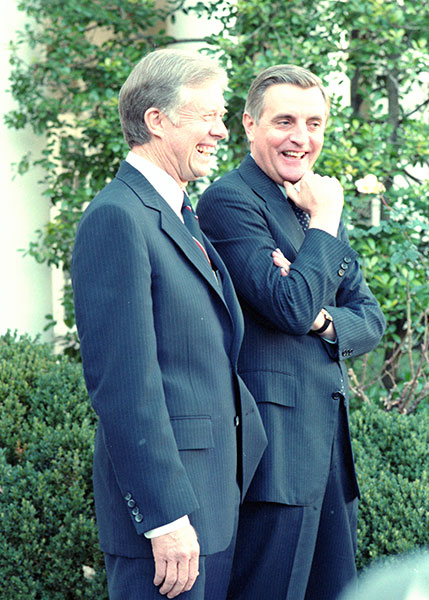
(26, 294)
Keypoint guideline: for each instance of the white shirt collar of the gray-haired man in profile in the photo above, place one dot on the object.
(164, 184)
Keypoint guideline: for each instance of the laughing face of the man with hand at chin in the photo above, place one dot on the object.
(289, 136)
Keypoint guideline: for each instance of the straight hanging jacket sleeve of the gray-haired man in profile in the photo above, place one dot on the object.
(112, 286)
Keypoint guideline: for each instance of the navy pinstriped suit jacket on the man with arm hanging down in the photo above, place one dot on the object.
(159, 341)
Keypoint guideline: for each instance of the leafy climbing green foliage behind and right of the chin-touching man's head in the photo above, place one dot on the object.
(377, 51)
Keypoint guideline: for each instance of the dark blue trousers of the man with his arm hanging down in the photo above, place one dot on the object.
(132, 578)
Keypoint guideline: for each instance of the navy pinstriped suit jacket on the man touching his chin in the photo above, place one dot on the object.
(296, 378)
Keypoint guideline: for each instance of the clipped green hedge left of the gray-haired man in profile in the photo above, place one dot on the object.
(46, 501)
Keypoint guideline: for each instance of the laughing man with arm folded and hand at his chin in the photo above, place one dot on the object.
(278, 227)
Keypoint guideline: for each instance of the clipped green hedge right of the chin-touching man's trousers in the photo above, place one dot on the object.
(391, 453)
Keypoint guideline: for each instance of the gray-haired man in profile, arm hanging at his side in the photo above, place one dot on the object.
(179, 435)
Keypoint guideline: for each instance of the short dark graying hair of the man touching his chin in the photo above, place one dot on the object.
(275, 75)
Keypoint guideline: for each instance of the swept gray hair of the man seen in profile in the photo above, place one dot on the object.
(161, 79)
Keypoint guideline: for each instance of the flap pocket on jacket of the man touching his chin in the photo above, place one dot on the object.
(274, 387)
